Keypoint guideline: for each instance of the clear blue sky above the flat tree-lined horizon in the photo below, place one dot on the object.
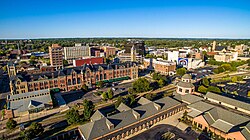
(28, 19)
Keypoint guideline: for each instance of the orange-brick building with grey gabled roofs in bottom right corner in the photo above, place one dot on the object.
(220, 123)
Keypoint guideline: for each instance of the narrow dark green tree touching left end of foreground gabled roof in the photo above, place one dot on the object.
(88, 109)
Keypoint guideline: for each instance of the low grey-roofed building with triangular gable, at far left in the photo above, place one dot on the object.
(29, 102)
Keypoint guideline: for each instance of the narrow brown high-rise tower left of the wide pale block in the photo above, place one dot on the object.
(56, 57)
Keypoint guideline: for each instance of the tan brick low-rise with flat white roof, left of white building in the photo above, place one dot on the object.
(159, 65)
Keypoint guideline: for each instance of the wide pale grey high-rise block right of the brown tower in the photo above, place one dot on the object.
(76, 52)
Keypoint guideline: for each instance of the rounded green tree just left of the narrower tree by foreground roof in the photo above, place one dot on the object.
(73, 116)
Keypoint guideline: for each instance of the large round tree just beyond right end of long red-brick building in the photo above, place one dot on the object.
(141, 85)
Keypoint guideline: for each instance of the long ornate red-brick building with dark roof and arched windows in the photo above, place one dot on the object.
(68, 79)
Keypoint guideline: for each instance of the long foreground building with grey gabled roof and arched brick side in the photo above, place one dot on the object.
(129, 120)
